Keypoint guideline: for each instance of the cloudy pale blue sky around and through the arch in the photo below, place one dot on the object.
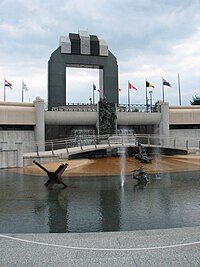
(151, 39)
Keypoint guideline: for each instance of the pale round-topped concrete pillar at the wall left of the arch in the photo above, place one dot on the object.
(40, 123)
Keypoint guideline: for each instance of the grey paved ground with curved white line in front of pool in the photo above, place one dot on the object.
(170, 247)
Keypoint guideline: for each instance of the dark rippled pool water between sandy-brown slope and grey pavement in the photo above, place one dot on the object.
(93, 204)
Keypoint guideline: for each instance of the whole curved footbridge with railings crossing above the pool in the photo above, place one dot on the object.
(93, 146)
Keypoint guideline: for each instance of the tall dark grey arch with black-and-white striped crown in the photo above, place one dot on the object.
(83, 51)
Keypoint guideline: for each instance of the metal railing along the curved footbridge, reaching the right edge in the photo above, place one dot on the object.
(81, 142)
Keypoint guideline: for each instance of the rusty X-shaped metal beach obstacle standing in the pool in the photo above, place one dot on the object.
(54, 177)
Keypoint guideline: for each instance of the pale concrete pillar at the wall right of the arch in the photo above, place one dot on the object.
(164, 123)
